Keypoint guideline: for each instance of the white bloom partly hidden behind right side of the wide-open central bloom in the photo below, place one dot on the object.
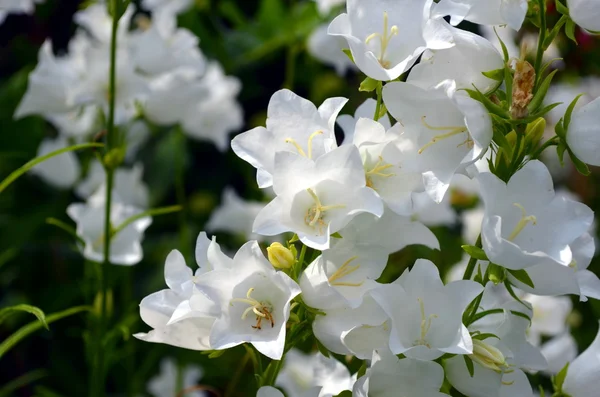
(393, 175)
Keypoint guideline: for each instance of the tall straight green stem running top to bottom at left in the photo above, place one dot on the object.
(98, 372)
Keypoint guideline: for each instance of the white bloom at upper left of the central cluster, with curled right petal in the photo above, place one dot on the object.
(295, 125)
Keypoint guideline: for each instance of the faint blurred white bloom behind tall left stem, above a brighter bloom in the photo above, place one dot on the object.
(128, 184)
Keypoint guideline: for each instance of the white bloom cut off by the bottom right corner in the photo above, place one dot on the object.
(582, 376)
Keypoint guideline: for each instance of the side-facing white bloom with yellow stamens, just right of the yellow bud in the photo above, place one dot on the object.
(343, 274)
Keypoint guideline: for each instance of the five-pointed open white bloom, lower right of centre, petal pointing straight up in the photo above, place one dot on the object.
(429, 322)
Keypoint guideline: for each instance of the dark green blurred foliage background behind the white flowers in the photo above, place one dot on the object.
(262, 42)
